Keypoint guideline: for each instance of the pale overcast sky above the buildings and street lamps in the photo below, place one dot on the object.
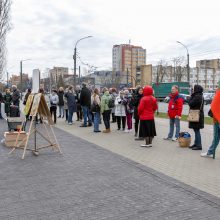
(45, 31)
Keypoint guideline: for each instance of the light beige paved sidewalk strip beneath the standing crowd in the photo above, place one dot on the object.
(182, 164)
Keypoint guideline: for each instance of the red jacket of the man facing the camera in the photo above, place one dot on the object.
(175, 106)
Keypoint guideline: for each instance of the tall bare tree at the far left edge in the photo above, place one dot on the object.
(5, 6)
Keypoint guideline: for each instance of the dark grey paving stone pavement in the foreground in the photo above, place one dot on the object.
(89, 182)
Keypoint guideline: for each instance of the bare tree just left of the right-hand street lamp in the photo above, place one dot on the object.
(179, 68)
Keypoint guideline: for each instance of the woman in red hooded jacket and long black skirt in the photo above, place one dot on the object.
(146, 109)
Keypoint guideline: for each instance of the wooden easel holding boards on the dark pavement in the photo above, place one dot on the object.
(36, 104)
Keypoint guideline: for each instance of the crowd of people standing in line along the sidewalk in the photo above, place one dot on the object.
(139, 105)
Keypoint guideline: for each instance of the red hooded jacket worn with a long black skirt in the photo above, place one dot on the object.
(148, 105)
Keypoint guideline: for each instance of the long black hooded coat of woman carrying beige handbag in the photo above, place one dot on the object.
(196, 102)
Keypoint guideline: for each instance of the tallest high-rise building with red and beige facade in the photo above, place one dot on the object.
(126, 59)
